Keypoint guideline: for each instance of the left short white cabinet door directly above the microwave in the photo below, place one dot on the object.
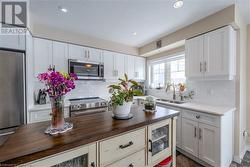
(77, 52)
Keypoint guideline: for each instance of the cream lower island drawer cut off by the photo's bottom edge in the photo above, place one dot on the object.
(134, 160)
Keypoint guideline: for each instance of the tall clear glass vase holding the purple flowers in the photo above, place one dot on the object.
(57, 115)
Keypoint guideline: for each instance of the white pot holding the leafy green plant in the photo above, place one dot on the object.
(123, 110)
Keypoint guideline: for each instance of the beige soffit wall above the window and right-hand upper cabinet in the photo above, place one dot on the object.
(219, 19)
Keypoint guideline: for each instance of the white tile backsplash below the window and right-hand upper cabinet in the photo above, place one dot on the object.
(221, 93)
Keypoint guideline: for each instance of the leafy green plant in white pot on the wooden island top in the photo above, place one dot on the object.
(122, 96)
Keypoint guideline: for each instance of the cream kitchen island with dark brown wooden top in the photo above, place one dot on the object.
(109, 141)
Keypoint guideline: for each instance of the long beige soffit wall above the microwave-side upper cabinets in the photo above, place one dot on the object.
(80, 39)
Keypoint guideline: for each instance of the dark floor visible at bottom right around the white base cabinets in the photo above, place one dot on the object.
(183, 161)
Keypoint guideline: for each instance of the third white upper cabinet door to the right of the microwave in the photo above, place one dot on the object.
(129, 66)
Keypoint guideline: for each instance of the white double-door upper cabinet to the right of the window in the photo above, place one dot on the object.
(212, 55)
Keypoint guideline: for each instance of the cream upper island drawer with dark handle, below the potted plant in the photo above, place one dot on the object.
(119, 147)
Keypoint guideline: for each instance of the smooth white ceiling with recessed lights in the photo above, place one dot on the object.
(116, 20)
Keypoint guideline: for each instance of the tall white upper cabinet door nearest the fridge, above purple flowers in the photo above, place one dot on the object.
(42, 55)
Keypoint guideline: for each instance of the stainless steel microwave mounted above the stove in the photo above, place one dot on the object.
(86, 70)
